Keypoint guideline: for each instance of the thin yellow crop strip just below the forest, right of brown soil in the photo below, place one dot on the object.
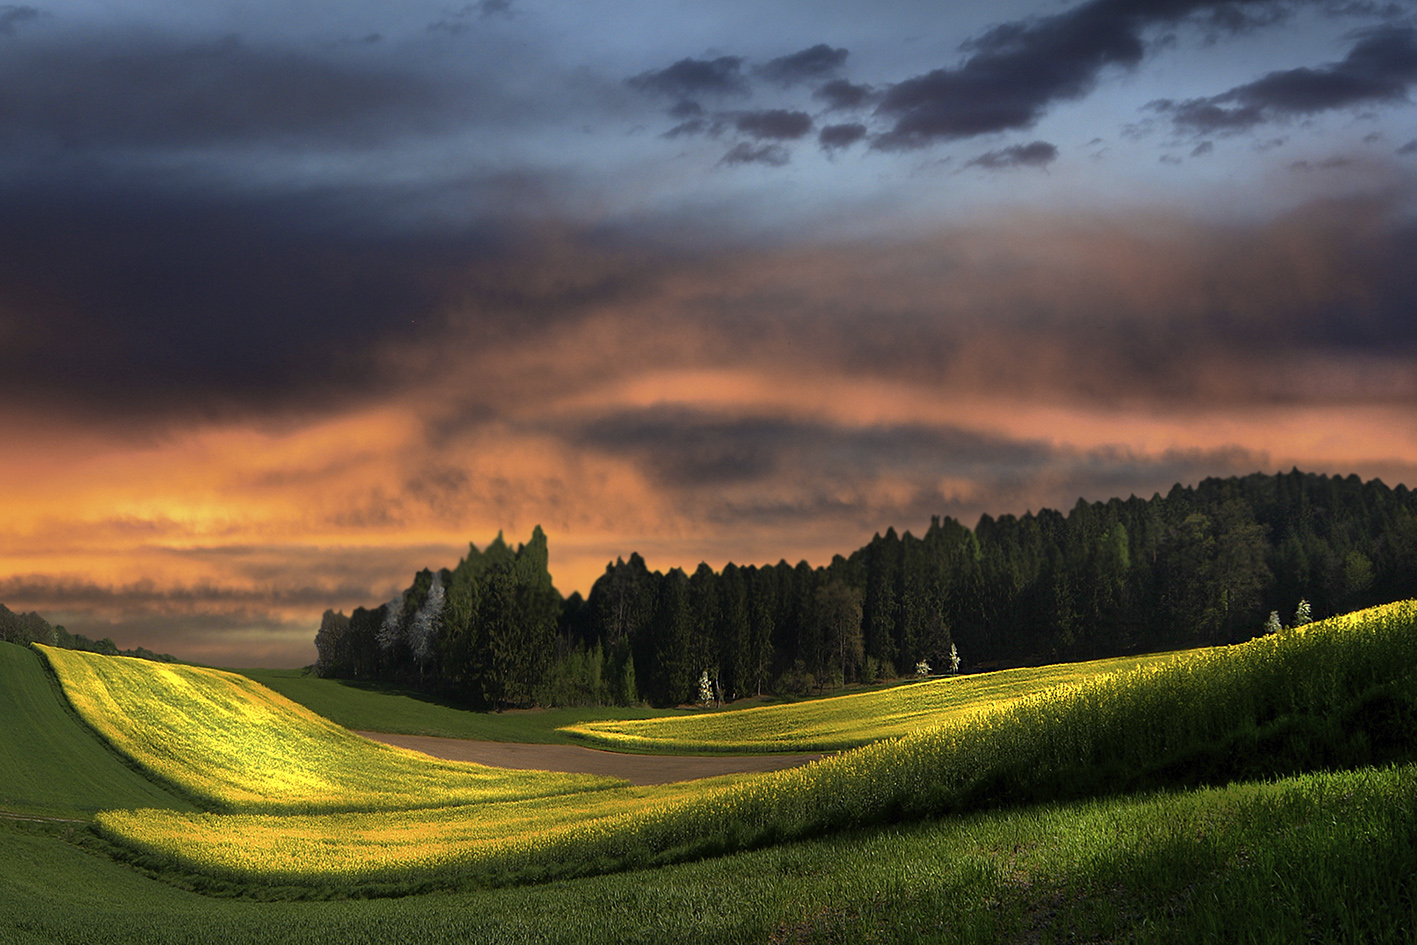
(845, 722)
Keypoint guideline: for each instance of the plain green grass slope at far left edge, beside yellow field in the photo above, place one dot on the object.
(50, 763)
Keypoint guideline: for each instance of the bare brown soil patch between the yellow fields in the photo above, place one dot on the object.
(640, 770)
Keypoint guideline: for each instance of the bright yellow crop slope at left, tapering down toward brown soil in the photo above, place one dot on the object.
(233, 745)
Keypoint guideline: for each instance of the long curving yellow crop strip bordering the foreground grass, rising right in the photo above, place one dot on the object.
(1340, 694)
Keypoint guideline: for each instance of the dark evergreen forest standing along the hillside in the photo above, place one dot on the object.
(1194, 567)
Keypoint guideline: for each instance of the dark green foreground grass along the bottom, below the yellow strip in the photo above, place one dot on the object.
(1328, 858)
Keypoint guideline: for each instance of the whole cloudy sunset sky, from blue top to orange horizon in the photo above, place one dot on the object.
(300, 298)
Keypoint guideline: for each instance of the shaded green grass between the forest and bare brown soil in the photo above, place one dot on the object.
(366, 706)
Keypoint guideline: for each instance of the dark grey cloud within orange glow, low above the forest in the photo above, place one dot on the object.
(688, 448)
